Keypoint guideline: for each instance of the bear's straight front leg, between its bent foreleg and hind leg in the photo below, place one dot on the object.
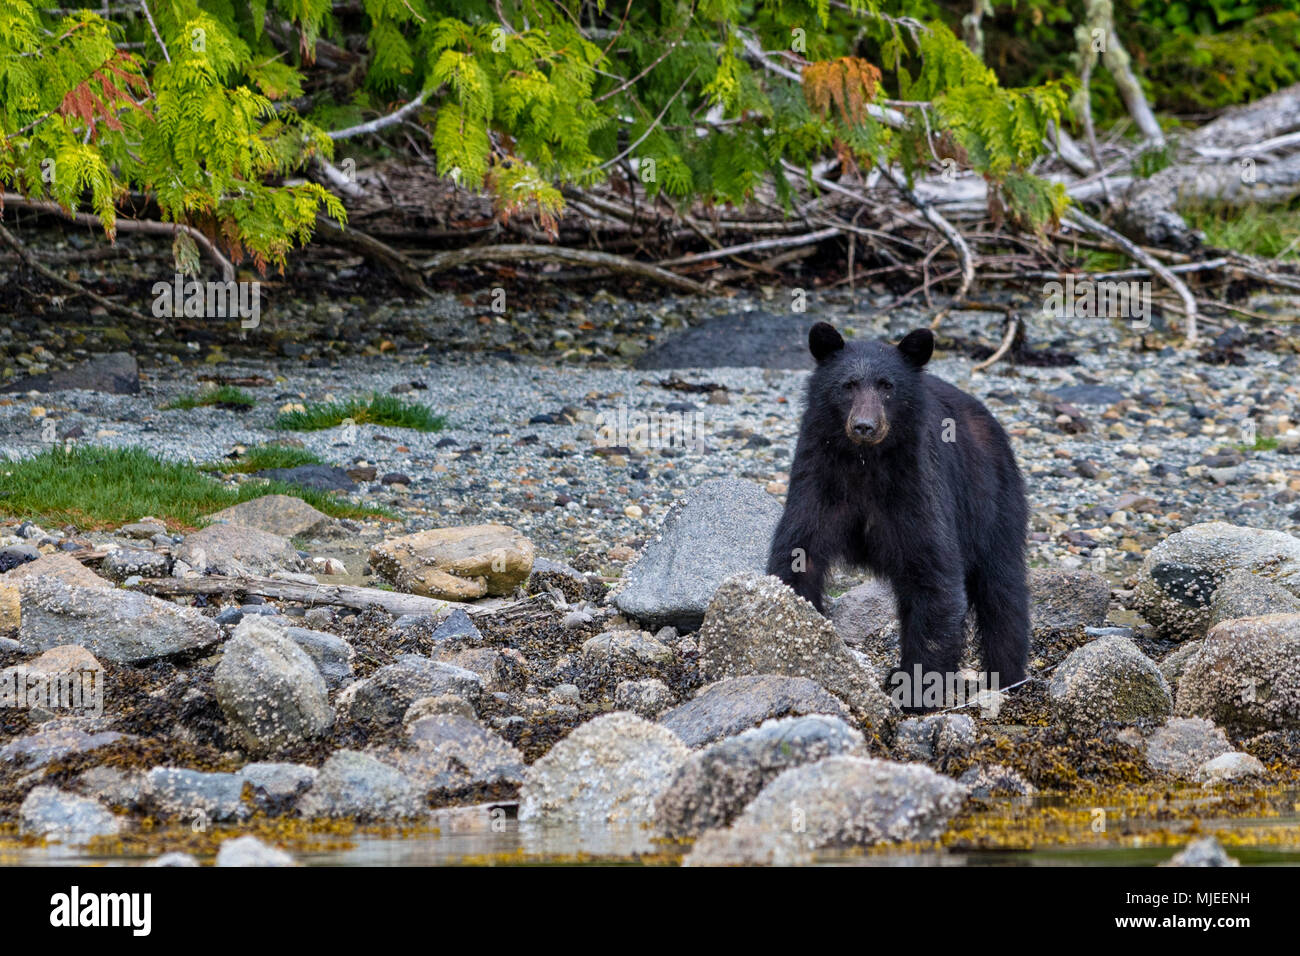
(931, 616)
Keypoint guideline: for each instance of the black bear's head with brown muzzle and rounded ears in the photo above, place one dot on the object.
(873, 388)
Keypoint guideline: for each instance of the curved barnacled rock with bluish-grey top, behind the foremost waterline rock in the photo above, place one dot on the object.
(714, 785)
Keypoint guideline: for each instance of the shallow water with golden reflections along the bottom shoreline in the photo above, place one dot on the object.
(1054, 830)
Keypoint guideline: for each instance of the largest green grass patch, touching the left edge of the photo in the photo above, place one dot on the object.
(103, 488)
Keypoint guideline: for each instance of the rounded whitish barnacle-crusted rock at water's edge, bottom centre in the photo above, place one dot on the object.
(609, 771)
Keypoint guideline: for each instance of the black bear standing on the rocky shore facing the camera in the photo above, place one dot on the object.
(911, 478)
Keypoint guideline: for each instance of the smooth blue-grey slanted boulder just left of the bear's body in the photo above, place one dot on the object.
(722, 529)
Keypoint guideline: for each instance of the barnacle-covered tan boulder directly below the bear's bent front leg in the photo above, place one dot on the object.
(757, 625)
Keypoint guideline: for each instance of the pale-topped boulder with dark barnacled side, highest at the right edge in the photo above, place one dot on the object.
(1181, 576)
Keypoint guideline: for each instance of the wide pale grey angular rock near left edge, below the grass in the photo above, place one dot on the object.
(120, 626)
